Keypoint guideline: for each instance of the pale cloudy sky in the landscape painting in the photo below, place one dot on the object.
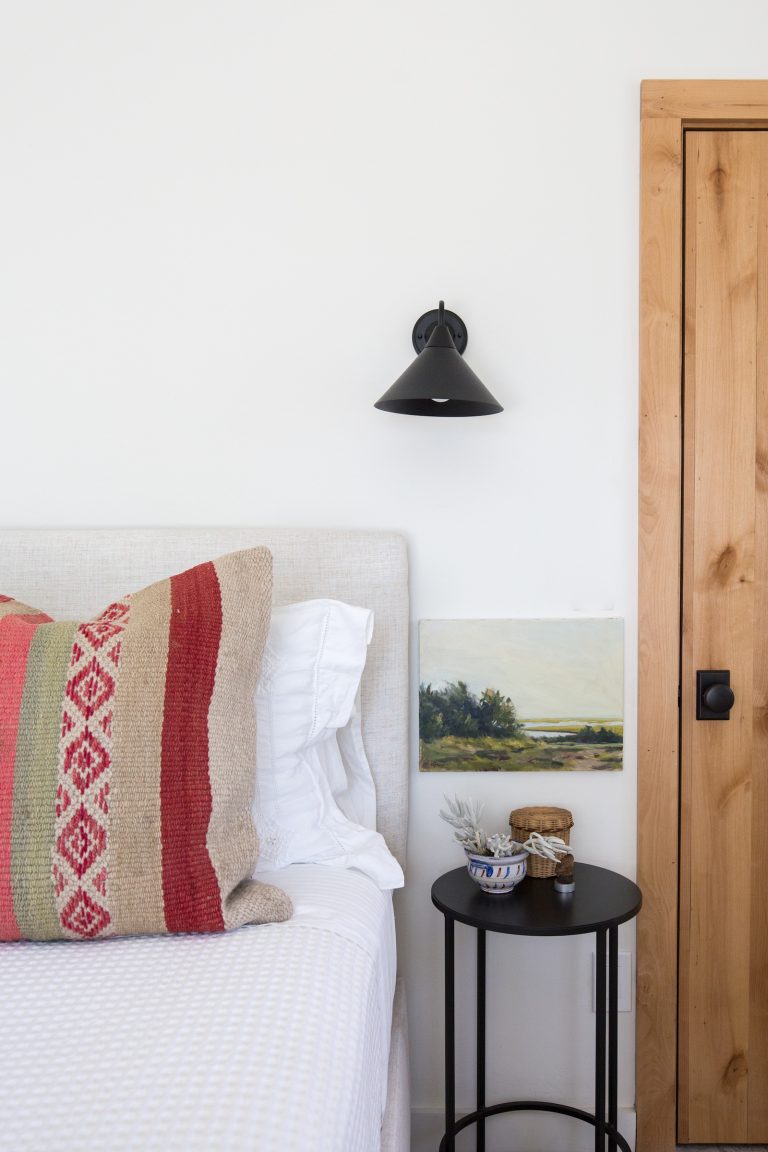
(569, 669)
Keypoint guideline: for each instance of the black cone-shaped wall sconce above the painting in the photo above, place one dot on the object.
(439, 383)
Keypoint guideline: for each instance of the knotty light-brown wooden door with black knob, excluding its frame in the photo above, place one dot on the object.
(724, 899)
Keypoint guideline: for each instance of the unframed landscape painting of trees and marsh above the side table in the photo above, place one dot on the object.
(521, 695)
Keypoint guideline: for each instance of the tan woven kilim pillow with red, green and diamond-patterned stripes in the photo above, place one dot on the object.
(128, 760)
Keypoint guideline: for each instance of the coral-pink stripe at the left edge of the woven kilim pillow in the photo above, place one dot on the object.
(16, 640)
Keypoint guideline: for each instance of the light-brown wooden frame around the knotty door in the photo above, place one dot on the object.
(668, 108)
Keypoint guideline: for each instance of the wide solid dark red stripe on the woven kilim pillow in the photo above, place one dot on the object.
(191, 889)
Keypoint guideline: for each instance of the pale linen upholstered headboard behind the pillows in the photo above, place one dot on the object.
(75, 573)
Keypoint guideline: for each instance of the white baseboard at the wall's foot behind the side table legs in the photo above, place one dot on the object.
(530, 1132)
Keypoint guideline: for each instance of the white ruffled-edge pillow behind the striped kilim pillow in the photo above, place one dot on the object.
(315, 792)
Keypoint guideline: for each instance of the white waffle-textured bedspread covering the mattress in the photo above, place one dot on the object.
(273, 1037)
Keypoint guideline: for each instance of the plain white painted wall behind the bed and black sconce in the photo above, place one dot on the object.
(218, 225)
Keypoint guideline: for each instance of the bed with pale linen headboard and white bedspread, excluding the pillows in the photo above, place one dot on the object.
(279, 1036)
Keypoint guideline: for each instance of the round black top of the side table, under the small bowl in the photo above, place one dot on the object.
(602, 900)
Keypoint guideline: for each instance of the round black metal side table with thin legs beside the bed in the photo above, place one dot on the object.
(603, 900)
